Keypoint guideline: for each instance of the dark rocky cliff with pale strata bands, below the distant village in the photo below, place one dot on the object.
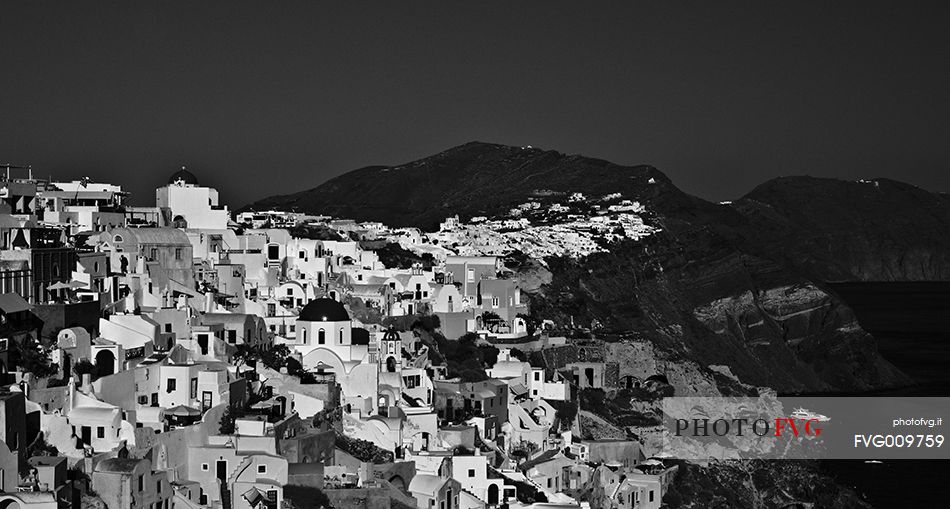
(769, 327)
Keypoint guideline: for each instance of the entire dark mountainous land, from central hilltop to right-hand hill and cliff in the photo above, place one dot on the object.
(741, 285)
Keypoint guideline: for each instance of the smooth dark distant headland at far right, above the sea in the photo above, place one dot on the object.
(875, 230)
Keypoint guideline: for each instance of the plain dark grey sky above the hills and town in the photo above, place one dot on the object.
(274, 97)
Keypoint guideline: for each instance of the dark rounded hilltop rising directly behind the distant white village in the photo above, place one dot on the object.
(472, 180)
